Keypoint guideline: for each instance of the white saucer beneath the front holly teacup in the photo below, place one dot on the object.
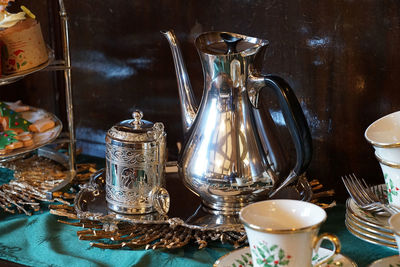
(242, 257)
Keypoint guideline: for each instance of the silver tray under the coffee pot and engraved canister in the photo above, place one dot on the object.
(186, 208)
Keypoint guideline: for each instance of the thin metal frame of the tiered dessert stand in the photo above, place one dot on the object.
(64, 65)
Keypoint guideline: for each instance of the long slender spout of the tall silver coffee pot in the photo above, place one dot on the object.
(188, 102)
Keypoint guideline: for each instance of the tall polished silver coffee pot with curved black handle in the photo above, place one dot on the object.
(228, 157)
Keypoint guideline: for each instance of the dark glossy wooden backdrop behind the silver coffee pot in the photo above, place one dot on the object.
(341, 57)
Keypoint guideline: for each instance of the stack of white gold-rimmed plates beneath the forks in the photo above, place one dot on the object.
(370, 227)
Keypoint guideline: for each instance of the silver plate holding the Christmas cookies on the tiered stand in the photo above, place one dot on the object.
(39, 139)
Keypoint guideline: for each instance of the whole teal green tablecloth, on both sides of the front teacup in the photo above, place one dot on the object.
(39, 240)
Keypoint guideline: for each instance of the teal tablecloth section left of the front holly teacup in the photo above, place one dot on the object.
(40, 240)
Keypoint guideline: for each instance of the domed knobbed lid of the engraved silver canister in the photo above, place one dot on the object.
(136, 129)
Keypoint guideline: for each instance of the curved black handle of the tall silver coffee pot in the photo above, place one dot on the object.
(295, 120)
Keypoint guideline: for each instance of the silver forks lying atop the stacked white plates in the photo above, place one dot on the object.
(364, 197)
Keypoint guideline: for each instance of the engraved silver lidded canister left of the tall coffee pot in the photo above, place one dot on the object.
(135, 164)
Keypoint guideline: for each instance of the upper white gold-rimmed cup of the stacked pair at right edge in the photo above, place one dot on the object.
(384, 135)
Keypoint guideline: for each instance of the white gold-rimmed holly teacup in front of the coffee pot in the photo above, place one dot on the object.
(284, 232)
